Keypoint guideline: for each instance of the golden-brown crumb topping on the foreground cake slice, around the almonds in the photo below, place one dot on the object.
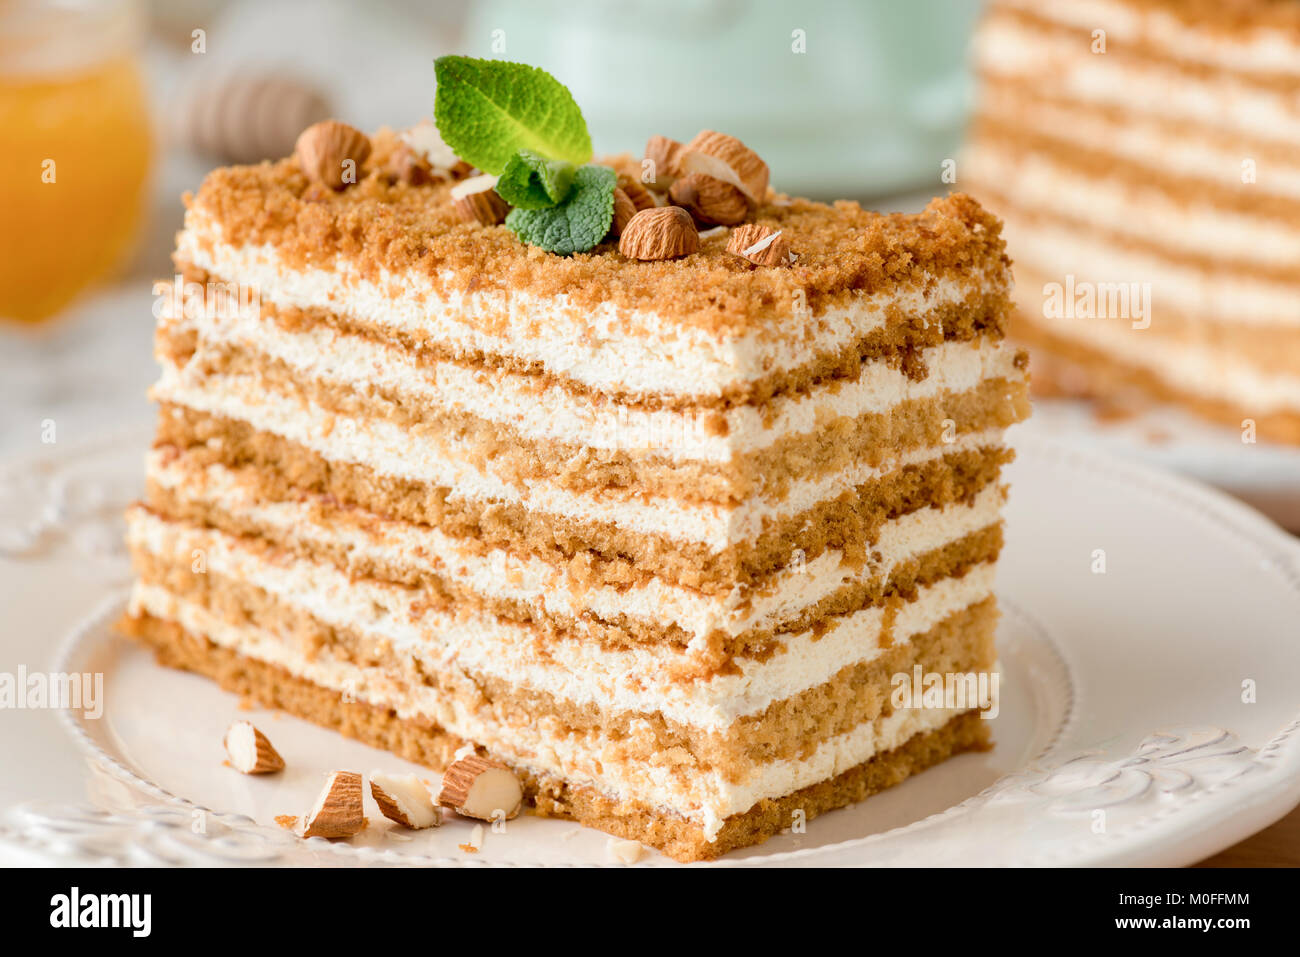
(382, 223)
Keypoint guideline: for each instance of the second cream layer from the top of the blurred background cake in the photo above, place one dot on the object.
(1065, 67)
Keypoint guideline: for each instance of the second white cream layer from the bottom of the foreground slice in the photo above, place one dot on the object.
(621, 682)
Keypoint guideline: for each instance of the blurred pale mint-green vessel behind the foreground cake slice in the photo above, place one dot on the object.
(842, 98)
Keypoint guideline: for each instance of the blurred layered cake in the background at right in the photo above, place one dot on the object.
(1146, 159)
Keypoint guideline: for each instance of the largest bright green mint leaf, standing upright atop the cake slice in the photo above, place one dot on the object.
(489, 110)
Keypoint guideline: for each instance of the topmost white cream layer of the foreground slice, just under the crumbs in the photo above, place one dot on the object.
(604, 348)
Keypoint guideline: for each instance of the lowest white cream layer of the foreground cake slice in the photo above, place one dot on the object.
(539, 744)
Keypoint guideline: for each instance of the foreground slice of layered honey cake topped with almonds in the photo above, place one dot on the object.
(656, 523)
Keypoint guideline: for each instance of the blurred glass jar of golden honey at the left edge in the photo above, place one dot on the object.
(76, 151)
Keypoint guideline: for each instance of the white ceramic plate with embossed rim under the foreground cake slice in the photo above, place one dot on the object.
(1124, 738)
